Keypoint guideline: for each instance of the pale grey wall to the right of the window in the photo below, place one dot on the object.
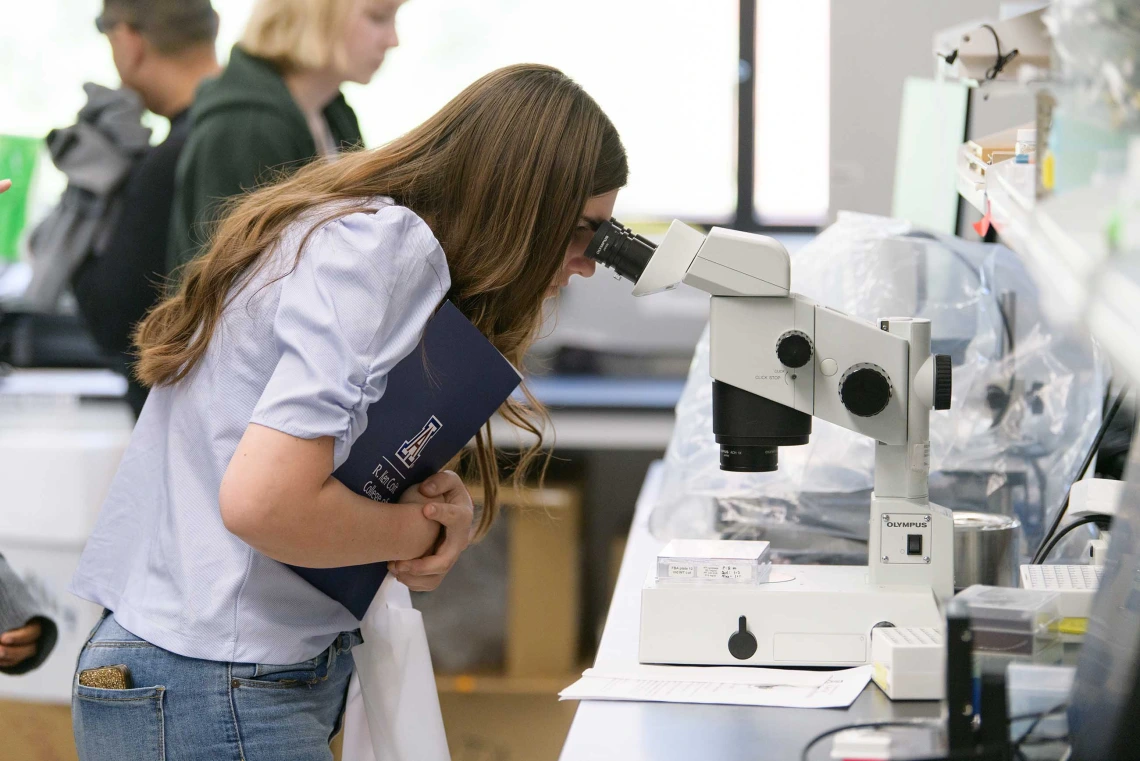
(876, 45)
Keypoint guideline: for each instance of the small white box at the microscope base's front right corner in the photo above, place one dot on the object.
(909, 664)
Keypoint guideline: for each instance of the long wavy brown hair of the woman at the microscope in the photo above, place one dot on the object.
(501, 175)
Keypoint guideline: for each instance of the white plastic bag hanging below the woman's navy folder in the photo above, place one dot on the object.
(393, 713)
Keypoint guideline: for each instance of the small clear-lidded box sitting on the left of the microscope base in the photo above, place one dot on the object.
(714, 562)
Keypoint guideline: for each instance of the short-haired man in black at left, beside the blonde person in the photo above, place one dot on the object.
(164, 50)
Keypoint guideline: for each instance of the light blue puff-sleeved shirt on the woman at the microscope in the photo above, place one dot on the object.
(304, 351)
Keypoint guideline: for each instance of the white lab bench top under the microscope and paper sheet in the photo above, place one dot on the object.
(673, 732)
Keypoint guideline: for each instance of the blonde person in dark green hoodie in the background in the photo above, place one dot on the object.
(278, 105)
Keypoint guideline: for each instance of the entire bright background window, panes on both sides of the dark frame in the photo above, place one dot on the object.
(666, 71)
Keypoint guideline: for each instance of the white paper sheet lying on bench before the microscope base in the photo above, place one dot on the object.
(724, 686)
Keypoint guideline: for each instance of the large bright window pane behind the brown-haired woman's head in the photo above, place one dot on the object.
(664, 71)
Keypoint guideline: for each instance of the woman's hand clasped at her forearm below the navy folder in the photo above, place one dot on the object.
(447, 502)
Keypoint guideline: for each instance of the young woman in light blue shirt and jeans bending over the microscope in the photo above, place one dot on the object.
(263, 369)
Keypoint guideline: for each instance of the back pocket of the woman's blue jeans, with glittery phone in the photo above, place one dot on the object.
(119, 724)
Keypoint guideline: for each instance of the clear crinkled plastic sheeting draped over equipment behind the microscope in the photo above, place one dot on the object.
(1022, 420)
